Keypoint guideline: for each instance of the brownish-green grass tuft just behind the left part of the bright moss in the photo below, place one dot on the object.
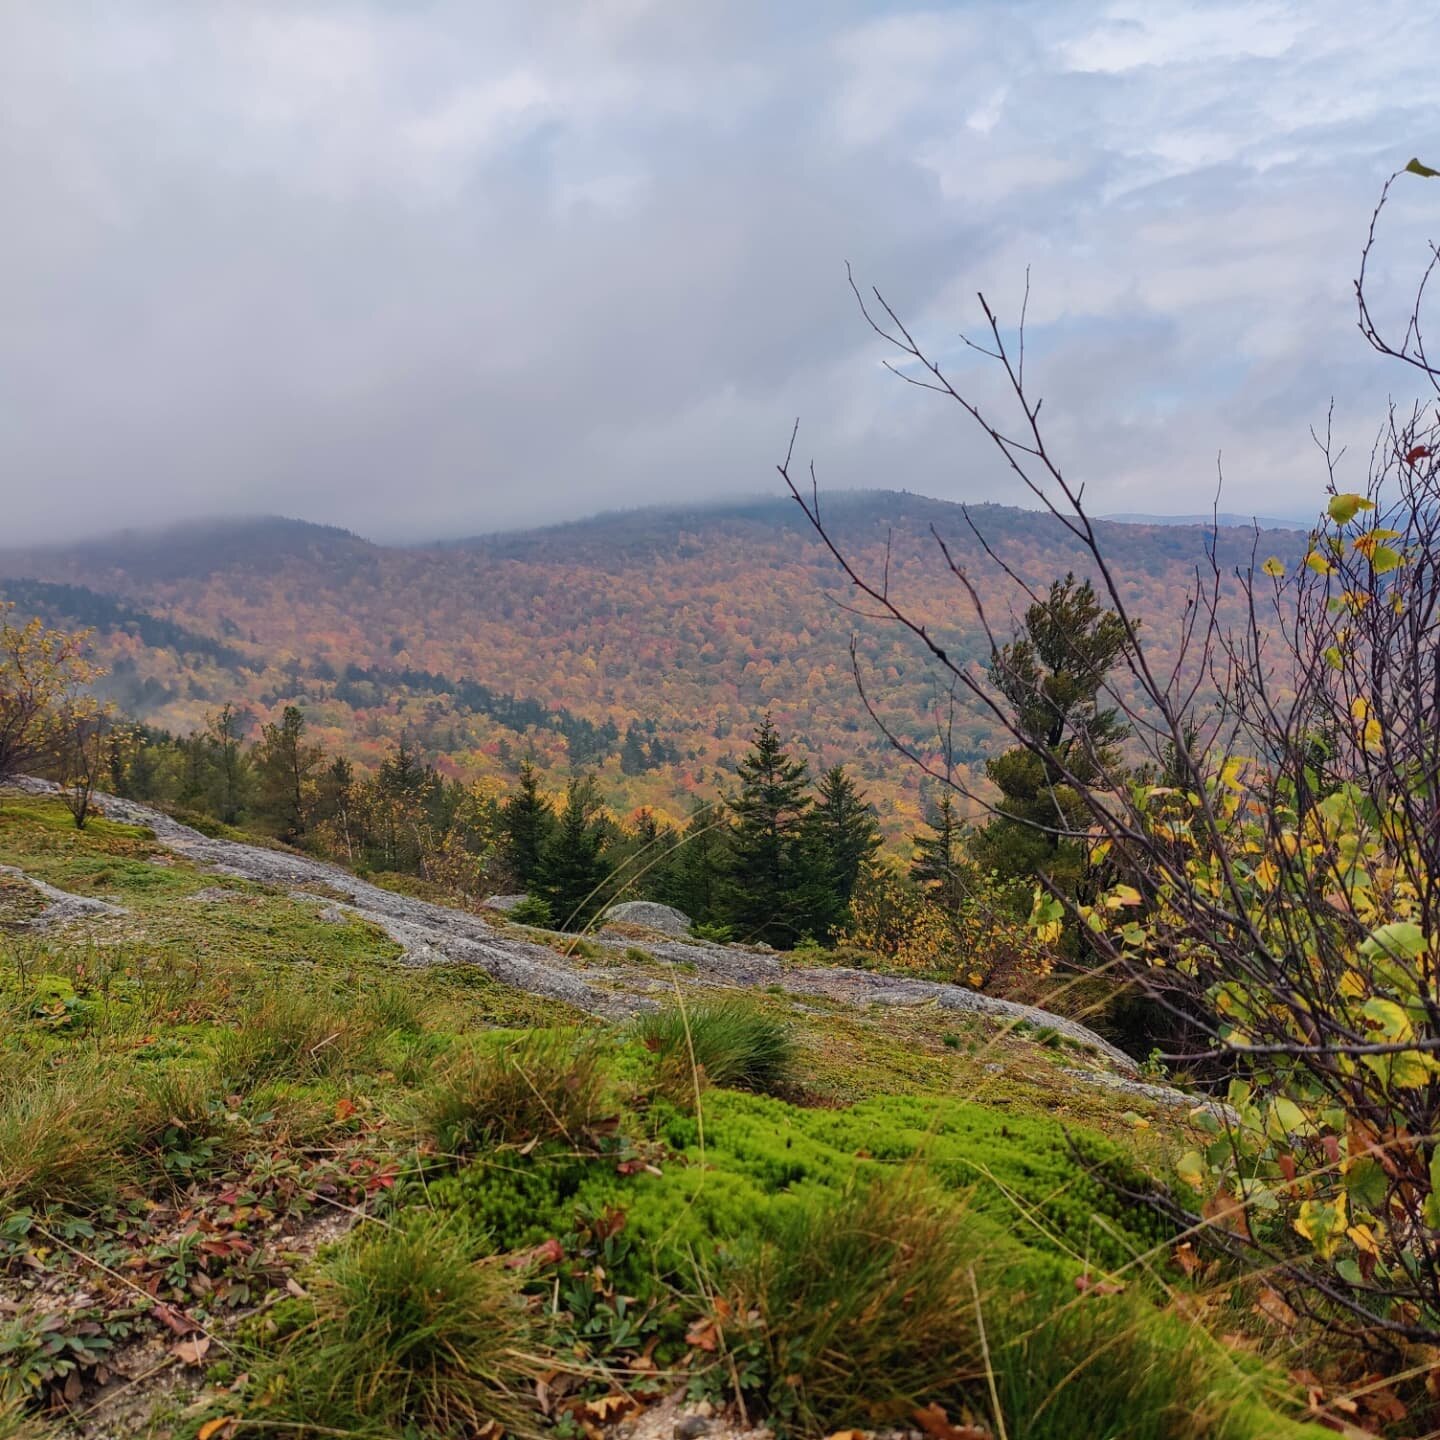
(544, 1086)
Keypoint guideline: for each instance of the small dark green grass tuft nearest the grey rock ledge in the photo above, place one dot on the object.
(731, 1040)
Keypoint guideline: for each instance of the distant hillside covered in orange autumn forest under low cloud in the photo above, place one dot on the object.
(643, 644)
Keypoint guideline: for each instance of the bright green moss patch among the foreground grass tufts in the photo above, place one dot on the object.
(1020, 1179)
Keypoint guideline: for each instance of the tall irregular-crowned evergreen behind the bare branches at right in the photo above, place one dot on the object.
(1052, 676)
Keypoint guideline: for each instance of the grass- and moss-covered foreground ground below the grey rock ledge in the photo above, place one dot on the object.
(250, 1066)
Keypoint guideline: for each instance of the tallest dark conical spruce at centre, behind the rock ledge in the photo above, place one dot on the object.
(768, 872)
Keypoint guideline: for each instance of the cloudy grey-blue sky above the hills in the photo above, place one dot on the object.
(427, 269)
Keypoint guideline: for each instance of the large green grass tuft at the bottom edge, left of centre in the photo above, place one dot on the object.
(411, 1331)
